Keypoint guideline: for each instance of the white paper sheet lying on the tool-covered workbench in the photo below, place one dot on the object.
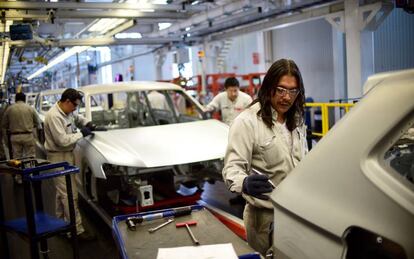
(219, 251)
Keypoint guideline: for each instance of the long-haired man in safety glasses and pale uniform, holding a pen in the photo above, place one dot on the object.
(266, 141)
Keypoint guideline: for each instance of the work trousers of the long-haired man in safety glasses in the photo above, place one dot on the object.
(258, 227)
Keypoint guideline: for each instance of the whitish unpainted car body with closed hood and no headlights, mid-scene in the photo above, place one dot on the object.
(144, 141)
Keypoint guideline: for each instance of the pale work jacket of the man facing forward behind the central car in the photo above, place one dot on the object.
(229, 109)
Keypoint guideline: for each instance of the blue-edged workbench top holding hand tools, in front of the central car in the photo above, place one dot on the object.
(140, 244)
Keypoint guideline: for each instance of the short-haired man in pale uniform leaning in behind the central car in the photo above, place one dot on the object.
(231, 102)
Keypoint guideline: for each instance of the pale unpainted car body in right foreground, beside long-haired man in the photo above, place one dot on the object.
(351, 196)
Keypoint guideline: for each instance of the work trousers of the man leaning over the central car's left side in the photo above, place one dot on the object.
(62, 205)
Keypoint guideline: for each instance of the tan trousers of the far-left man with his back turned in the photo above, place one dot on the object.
(23, 145)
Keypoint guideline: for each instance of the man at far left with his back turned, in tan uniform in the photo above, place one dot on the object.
(19, 120)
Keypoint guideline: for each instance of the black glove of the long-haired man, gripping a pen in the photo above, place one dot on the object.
(255, 184)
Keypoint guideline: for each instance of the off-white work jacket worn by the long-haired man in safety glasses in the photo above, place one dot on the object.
(253, 144)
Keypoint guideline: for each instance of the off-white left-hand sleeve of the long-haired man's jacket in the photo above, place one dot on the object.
(237, 161)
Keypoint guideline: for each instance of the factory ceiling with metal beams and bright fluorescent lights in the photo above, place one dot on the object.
(60, 25)
